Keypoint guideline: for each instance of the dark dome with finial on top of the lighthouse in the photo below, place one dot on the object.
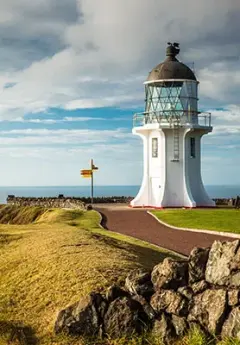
(171, 68)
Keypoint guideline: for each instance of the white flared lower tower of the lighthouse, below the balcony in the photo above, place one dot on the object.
(167, 183)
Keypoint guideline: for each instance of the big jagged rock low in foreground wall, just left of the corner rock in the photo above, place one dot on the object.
(209, 308)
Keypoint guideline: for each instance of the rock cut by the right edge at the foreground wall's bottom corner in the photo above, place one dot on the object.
(231, 327)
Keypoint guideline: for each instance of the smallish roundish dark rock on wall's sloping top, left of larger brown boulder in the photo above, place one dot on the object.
(138, 282)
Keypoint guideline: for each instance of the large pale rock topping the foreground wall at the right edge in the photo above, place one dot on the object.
(223, 266)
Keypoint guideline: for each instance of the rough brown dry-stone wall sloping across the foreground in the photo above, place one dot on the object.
(202, 291)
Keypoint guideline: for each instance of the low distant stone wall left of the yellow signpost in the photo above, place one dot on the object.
(57, 202)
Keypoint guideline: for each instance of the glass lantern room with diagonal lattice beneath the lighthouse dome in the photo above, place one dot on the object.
(171, 98)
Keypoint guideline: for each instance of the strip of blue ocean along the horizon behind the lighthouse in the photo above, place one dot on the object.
(229, 191)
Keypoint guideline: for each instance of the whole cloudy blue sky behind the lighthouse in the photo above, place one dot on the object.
(71, 78)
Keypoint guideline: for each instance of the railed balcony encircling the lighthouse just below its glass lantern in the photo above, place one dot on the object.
(168, 119)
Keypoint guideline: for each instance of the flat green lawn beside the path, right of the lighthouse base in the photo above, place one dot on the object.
(226, 220)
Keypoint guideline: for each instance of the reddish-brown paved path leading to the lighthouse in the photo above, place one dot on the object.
(139, 224)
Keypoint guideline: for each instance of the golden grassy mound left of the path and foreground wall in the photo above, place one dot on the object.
(48, 259)
